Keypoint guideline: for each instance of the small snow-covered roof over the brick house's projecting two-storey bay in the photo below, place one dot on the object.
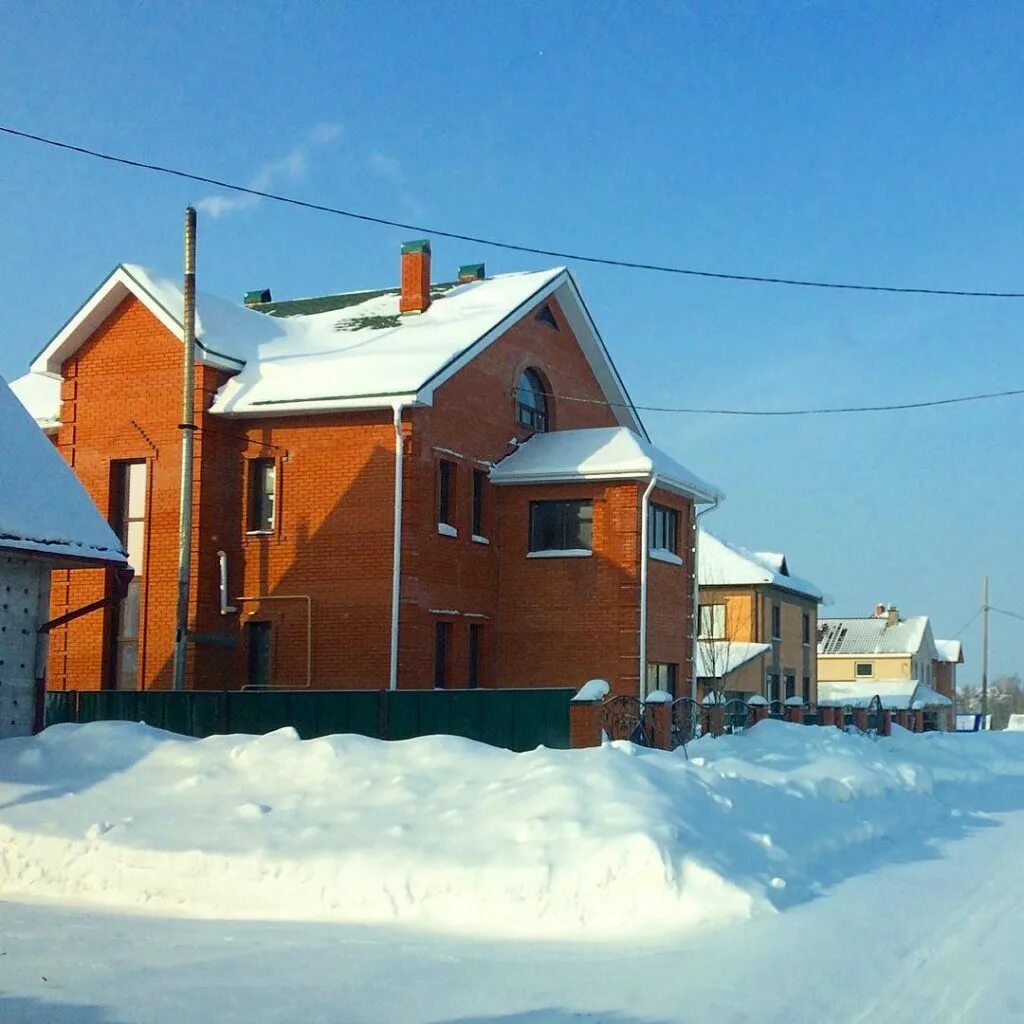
(599, 454)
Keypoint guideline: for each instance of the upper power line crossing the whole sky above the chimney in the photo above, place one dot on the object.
(554, 253)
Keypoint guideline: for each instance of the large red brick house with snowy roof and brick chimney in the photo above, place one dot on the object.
(417, 487)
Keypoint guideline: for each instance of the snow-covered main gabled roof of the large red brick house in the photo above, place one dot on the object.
(356, 352)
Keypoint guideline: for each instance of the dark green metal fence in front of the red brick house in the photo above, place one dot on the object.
(519, 720)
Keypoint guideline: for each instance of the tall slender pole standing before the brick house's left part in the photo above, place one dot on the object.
(188, 429)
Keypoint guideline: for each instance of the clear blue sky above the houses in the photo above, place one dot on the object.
(862, 142)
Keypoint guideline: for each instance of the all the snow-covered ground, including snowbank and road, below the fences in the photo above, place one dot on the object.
(787, 875)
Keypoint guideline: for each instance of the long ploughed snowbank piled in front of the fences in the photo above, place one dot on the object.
(449, 835)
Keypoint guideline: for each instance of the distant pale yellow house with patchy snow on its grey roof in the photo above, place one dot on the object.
(885, 656)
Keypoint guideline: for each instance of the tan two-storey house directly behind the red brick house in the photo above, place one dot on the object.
(758, 624)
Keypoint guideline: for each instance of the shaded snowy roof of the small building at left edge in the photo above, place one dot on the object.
(44, 507)
